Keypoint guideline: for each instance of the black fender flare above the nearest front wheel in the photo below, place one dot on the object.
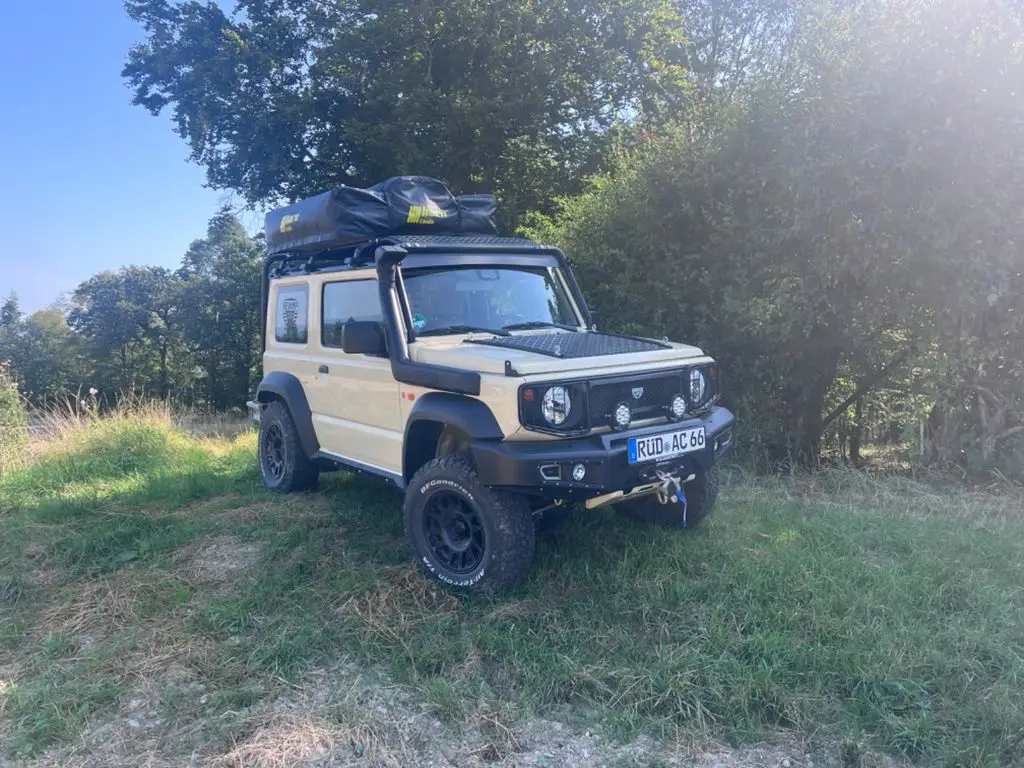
(437, 413)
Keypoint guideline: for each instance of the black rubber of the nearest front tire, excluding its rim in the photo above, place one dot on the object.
(513, 554)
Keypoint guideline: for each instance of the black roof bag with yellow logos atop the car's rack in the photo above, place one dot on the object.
(401, 205)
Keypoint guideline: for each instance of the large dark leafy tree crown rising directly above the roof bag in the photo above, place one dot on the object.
(286, 98)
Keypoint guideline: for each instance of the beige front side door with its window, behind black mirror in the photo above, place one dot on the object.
(355, 398)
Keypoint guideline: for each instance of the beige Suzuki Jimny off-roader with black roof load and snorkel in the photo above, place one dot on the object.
(403, 338)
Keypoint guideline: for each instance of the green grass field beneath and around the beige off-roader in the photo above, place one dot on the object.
(859, 610)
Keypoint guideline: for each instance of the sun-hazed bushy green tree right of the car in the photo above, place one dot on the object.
(854, 223)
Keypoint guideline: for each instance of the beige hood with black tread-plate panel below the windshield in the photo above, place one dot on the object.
(488, 355)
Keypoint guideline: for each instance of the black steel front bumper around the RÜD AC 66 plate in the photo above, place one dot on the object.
(546, 467)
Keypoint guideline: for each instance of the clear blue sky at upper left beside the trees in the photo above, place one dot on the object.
(88, 182)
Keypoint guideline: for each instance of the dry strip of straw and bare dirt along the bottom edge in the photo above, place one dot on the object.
(348, 717)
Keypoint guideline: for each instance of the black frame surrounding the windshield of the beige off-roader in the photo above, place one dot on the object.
(493, 262)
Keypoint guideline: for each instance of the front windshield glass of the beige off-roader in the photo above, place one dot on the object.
(487, 298)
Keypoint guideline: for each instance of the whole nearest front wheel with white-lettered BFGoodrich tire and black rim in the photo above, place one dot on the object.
(464, 534)
